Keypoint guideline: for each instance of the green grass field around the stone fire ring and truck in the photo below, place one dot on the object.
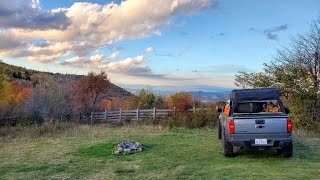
(84, 152)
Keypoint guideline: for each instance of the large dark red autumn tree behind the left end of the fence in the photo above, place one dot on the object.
(90, 90)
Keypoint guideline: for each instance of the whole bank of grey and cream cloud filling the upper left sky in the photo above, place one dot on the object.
(84, 27)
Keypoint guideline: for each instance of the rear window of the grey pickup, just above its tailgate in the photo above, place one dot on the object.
(260, 107)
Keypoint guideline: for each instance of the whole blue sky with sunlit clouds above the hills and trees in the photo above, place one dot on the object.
(160, 44)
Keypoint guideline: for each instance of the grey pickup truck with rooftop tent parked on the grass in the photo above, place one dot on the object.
(255, 118)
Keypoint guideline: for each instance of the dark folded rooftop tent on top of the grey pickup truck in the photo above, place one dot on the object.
(239, 95)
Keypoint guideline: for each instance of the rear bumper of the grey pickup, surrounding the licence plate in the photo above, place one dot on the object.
(248, 140)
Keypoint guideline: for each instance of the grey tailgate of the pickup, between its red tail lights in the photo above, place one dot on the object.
(257, 125)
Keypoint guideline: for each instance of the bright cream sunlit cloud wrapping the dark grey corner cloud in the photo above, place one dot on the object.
(112, 22)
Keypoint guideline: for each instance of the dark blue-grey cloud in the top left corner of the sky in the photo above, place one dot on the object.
(27, 14)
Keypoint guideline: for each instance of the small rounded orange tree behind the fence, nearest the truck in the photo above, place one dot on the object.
(182, 101)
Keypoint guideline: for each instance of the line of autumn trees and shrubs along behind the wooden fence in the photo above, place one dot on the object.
(56, 98)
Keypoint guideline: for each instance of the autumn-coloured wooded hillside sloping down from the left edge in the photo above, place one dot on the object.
(31, 96)
